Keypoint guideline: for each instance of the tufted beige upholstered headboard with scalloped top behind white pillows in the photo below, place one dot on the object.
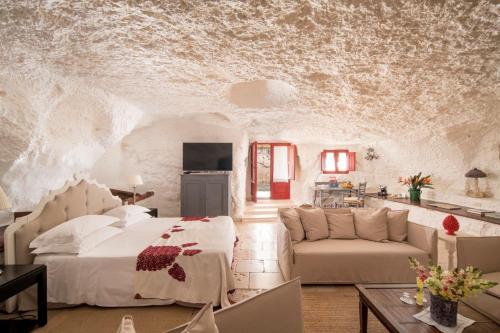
(74, 199)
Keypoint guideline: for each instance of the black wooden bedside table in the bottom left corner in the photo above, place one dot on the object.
(16, 278)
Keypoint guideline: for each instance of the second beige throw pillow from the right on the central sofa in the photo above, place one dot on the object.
(371, 225)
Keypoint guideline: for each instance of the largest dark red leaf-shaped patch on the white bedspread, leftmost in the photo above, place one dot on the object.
(154, 258)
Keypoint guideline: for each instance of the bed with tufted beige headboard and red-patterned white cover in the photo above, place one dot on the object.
(109, 274)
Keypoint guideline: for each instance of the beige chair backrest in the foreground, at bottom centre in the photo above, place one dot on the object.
(275, 310)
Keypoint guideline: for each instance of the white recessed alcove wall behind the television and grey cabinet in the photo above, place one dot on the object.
(155, 152)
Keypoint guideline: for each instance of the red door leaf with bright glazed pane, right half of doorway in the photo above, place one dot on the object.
(282, 169)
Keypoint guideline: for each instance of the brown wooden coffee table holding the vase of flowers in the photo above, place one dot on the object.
(383, 301)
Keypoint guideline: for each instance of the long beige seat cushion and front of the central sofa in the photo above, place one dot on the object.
(354, 261)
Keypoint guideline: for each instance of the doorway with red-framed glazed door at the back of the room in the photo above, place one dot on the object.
(273, 167)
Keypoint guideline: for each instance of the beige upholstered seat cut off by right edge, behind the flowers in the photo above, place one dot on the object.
(482, 253)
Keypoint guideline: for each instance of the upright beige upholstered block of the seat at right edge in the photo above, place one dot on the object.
(471, 251)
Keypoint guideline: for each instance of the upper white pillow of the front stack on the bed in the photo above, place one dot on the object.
(72, 230)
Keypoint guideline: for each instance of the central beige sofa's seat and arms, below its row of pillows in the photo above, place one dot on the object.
(349, 261)
